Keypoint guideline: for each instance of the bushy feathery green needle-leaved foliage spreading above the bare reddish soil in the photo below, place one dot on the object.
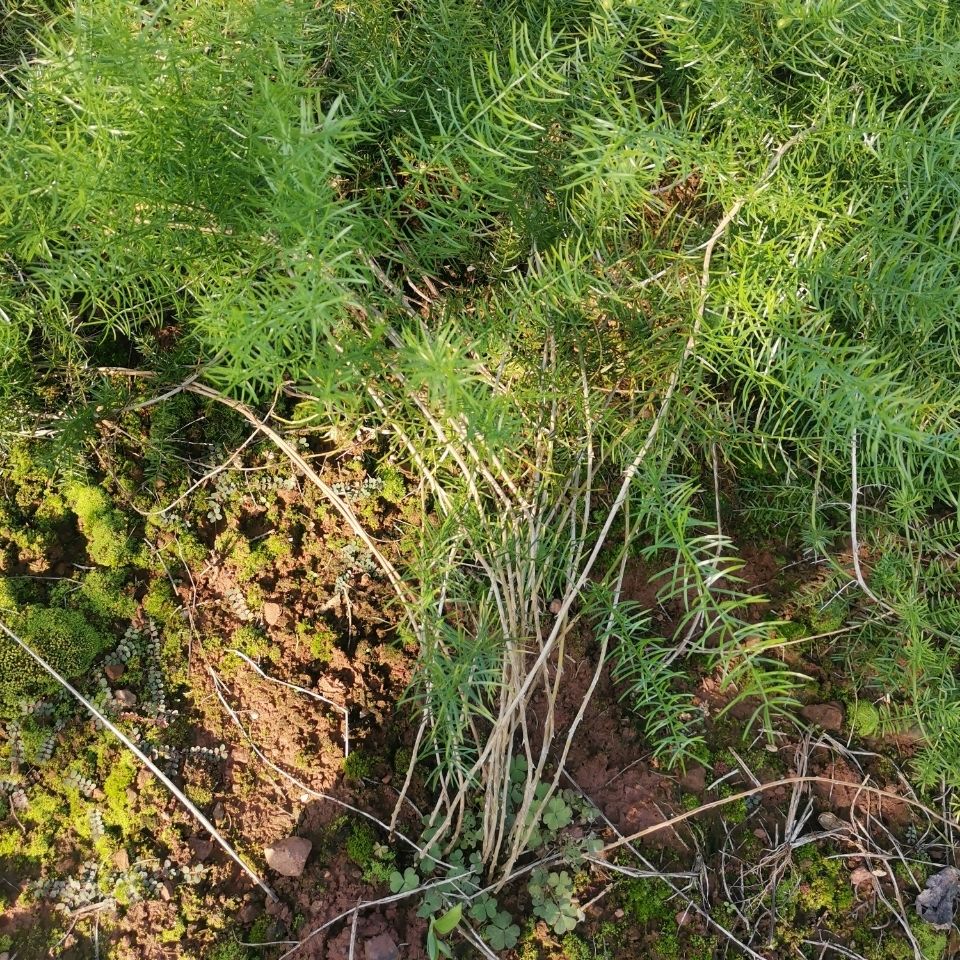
(541, 245)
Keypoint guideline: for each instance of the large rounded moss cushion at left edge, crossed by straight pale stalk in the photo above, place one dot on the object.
(64, 638)
